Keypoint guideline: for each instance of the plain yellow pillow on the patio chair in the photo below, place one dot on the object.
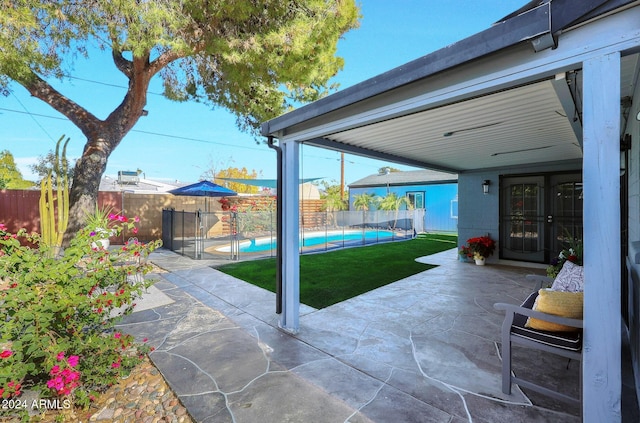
(560, 303)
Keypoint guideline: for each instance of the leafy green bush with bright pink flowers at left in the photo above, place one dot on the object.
(59, 313)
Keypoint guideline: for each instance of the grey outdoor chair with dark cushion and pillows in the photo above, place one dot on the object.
(565, 341)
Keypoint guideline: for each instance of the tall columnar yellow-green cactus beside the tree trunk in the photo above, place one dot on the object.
(53, 223)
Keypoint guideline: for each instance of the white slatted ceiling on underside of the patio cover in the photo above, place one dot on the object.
(529, 124)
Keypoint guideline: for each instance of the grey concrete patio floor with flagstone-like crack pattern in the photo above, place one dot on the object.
(423, 349)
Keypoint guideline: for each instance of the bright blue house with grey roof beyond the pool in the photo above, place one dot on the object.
(434, 192)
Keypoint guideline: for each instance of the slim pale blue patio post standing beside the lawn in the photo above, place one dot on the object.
(290, 271)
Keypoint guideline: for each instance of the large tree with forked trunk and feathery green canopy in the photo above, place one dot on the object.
(257, 59)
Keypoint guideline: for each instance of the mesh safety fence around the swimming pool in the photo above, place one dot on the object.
(243, 235)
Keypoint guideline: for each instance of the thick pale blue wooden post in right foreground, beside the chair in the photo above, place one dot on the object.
(601, 178)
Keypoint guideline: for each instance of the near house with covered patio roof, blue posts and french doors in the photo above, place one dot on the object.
(545, 107)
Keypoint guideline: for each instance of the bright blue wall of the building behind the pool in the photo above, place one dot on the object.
(438, 203)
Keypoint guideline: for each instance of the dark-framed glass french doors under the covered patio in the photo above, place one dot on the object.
(539, 215)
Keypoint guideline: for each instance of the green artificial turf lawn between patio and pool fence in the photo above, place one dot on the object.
(335, 276)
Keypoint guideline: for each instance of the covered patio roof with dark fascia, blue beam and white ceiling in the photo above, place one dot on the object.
(457, 109)
